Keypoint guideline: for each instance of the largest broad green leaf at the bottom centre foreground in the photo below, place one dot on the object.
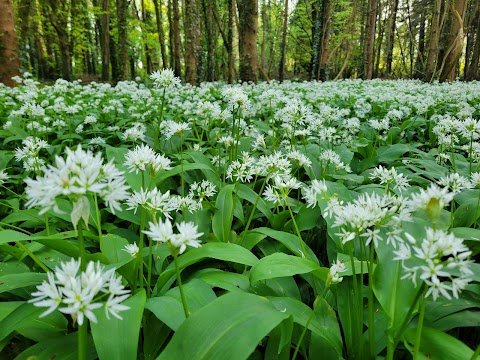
(230, 327)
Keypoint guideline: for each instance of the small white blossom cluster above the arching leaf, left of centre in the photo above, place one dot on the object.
(187, 235)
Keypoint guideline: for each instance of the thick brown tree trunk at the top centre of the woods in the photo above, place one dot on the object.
(247, 33)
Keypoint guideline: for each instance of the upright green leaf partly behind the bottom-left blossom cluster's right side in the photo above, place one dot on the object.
(118, 339)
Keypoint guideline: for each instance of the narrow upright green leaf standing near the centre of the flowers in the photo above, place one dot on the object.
(222, 219)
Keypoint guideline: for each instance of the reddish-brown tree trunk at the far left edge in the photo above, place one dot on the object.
(9, 51)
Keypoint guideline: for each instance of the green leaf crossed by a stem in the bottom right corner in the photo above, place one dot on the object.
(437, 345)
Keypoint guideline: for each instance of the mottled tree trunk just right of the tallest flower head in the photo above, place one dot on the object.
(192, 41)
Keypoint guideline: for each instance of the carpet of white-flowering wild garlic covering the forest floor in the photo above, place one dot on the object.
(271, 221)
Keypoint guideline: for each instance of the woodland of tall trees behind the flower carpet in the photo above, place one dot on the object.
(207, 40)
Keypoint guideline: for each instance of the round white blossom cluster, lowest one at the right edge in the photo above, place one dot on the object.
(439, 259)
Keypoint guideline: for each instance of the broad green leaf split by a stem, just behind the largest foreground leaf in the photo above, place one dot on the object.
(169, 308)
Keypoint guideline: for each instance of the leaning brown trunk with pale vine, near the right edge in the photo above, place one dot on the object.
(455, 45)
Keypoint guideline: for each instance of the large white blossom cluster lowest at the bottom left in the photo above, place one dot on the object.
(79, 293)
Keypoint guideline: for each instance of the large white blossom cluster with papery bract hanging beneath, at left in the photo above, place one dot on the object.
(80, 174)
